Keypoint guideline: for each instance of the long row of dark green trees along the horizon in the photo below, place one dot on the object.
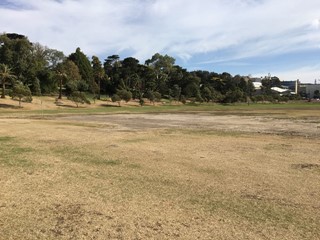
(28, 68)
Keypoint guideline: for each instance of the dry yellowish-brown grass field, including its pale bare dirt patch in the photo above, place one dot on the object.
(160, 176)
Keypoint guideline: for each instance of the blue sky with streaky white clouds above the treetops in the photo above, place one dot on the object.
(243, 37)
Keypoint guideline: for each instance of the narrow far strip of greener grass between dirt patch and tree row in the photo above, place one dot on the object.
(235, 109)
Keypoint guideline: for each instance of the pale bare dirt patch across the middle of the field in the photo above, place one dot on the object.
(207, 122)
